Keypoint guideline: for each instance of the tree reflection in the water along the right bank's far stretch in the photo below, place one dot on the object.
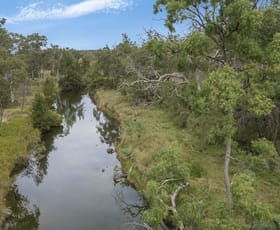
(108, 129)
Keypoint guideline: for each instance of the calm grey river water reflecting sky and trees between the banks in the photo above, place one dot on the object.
(76, 184)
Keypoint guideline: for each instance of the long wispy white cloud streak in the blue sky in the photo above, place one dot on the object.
(38, 10)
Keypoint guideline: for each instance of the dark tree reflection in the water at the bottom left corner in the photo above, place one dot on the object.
(22, 217)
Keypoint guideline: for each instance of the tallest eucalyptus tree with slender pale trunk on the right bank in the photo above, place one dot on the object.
(236, 28)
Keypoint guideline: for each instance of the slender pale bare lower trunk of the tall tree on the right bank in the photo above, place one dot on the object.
(226, 171)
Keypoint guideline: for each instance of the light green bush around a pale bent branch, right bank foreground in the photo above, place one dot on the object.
(166, 173)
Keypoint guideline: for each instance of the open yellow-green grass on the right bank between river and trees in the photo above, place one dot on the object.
(148, 129)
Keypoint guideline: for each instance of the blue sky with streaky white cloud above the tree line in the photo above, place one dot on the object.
(82, 24)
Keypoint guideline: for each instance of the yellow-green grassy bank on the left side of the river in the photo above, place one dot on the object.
(17, 138)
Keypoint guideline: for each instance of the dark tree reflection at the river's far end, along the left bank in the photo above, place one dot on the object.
(69, 105)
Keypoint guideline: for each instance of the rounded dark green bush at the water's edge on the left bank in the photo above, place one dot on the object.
(42, 117)
